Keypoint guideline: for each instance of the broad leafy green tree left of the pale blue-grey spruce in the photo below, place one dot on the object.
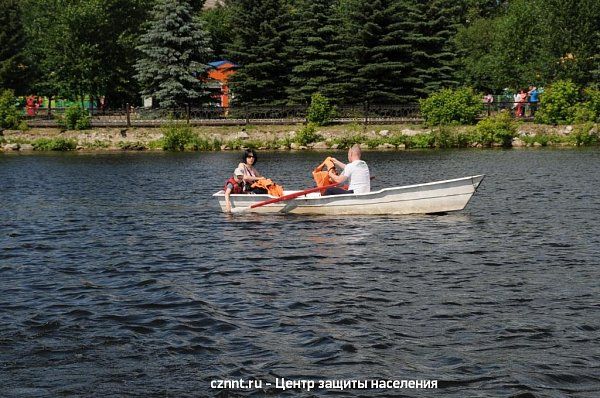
(84, 47)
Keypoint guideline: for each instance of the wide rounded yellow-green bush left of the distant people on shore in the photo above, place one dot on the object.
(460, 106)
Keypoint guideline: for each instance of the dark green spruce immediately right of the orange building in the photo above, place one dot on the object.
(260, 36)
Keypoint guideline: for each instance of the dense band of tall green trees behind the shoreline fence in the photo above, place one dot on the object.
(351, 51)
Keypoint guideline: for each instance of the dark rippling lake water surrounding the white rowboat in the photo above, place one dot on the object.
(120, 277)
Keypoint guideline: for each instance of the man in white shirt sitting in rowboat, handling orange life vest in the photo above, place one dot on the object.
(355, 174)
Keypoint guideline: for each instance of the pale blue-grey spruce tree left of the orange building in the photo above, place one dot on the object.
(174, 51)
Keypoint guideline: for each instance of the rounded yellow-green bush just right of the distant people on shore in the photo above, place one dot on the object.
(558, 103)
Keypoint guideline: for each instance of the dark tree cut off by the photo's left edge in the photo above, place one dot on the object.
(13, 65)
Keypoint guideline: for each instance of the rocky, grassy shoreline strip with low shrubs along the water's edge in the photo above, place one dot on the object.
(499, 131)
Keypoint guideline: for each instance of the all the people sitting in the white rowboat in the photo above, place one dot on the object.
(354, 178)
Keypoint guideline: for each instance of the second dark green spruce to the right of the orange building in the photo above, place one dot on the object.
(314, 51)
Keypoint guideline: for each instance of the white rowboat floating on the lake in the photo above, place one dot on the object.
(432, 197)
